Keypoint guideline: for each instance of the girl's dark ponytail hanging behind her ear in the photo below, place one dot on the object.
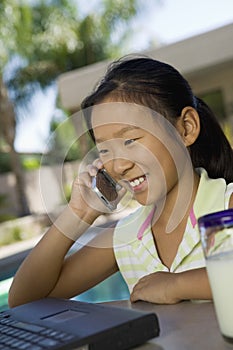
(212, 150)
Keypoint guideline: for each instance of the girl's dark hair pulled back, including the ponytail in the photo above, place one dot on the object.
(162, 88)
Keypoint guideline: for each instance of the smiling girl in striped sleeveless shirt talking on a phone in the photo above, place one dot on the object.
(162, 144)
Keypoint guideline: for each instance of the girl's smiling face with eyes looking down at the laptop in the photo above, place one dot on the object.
(143, 153)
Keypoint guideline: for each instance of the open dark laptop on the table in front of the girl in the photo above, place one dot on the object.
(69, 324)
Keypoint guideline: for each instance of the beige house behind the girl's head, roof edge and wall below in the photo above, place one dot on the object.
(206, 60)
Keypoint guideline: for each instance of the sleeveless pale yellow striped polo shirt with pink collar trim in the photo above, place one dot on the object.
(134, 246)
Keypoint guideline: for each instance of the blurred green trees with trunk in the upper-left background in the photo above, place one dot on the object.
(42, 39)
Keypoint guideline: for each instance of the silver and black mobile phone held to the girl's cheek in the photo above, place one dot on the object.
(106, 188)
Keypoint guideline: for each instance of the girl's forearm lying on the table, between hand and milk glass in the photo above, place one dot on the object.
(192, 284)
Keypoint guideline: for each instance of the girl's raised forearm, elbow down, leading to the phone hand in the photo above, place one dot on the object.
(40, 271)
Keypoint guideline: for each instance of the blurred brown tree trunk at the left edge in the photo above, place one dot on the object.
(7, 130)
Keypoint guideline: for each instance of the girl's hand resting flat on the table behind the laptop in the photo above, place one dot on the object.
(158, 287)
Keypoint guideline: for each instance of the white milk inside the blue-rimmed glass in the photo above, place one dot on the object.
(220, 273)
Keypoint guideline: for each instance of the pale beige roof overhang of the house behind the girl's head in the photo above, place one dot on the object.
(189, 56)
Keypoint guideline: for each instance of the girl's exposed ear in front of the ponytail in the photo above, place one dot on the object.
(188, 125)
